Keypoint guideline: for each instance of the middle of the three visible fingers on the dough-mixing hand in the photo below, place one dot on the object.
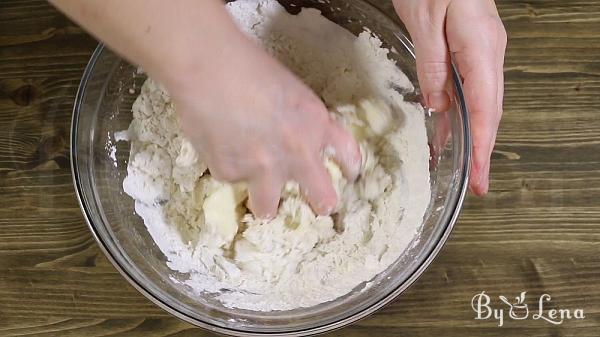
(315, 184)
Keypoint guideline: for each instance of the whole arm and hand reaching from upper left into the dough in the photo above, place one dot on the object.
(248, 116)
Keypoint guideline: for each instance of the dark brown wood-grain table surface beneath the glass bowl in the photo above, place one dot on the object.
(537, 231)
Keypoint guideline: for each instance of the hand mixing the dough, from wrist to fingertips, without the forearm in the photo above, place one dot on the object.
(253, 121)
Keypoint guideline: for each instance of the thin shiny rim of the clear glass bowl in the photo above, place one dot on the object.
(327, 327)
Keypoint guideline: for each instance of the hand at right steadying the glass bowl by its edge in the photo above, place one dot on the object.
(472, 32)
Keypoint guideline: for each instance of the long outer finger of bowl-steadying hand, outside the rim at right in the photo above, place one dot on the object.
(475, 46)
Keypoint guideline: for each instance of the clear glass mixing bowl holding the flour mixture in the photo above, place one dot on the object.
(99, 163)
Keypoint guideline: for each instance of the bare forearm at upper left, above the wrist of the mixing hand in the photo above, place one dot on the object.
(164, 37)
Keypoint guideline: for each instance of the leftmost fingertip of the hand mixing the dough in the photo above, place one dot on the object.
(264, 193)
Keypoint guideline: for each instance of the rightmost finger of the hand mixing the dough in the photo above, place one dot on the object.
(346, 151)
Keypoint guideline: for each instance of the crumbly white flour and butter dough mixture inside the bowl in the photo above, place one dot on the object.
(297, 259)
